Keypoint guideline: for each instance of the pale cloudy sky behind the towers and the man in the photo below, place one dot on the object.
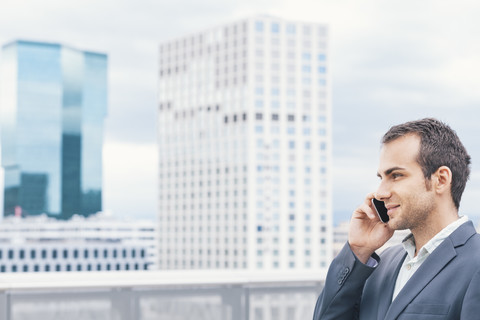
(391, 61)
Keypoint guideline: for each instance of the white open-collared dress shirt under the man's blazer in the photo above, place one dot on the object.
(412, 262)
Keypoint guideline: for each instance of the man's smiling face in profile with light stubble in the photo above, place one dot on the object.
(406, 193)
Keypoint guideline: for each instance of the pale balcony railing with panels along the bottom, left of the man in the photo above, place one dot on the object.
(160, 295)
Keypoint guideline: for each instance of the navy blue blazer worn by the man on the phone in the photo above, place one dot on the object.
(445, 286)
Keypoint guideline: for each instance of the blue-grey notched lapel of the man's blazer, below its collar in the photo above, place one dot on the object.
(427, 271)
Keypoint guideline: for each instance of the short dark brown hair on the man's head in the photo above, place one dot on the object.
(439, 146)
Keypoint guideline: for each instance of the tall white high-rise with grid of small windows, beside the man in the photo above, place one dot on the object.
(244, 136)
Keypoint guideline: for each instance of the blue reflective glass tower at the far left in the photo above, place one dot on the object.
(53, 104)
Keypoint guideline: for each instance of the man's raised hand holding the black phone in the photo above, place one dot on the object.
(367, 233)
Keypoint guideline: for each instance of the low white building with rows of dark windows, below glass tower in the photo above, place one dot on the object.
(96, 243)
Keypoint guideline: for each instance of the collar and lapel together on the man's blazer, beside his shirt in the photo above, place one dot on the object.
(430, 268)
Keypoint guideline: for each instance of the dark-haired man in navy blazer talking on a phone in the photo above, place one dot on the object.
(435, 273)
